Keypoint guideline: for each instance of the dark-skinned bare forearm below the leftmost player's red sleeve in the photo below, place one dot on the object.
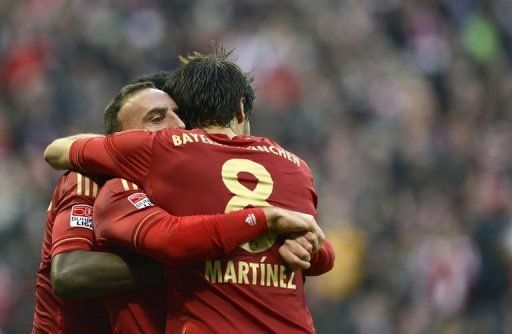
(85, 274)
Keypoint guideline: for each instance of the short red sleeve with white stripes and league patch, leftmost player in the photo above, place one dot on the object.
(72, 224)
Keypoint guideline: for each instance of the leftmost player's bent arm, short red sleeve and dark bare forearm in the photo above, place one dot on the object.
(76, 269)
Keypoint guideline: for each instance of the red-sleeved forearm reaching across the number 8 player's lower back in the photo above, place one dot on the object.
(184, 240)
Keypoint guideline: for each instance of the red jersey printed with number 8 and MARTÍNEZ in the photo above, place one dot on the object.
(193, 172)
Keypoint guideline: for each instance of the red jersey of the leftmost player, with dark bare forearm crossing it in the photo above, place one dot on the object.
(68, 227)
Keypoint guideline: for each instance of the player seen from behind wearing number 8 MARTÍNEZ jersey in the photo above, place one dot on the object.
(213, 169)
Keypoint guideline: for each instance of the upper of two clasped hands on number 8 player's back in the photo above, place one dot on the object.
(294, 223)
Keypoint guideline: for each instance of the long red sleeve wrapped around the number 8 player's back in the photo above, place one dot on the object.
(125, 218)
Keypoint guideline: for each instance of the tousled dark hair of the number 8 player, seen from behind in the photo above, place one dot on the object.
(208, 89)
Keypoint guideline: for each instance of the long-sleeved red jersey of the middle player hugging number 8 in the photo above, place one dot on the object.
(124, 218)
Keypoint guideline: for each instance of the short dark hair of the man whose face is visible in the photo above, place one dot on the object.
(110, 121)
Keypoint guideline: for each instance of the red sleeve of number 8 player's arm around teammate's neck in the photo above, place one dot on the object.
(125, 154)
